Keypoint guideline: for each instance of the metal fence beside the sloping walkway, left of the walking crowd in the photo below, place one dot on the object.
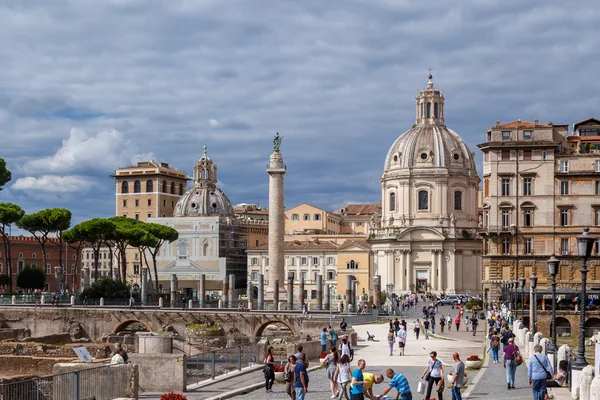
(210, 364)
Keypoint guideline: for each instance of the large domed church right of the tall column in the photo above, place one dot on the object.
(425, 239)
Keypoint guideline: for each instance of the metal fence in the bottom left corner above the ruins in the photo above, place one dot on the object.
(100, 383)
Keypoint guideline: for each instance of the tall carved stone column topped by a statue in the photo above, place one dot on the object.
(276, 170)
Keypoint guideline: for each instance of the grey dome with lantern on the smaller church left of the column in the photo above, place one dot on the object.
(204, 199)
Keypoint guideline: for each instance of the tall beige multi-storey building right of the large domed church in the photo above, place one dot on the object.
(540, 188)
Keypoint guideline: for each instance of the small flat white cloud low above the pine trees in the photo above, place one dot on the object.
(54, 184)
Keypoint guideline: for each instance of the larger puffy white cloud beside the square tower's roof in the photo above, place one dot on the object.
(104, 152)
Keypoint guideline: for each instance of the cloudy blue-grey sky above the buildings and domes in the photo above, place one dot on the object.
(89, 86)
